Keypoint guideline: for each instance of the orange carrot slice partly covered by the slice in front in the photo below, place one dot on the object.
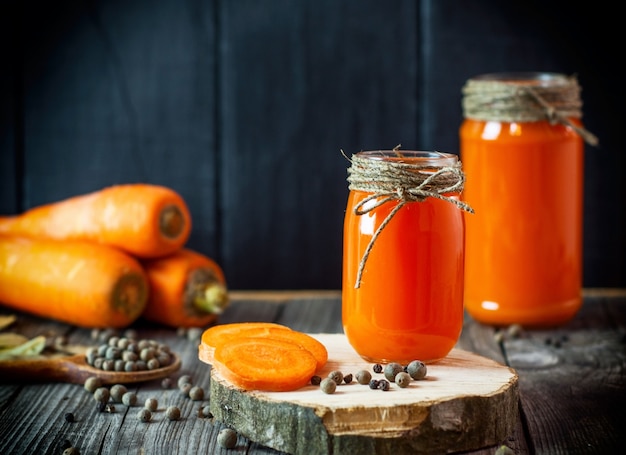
(218, 335)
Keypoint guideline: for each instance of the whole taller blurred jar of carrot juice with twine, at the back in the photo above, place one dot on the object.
(522, 147)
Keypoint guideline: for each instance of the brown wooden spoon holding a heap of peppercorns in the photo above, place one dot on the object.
(74, 369)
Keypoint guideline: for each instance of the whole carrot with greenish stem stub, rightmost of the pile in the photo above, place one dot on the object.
(187, 289)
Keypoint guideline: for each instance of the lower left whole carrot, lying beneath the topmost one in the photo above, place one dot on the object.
(77, 282)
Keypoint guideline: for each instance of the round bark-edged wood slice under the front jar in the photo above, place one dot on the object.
(466, 402)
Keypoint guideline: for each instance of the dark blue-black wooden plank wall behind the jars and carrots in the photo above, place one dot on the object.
(242, 106)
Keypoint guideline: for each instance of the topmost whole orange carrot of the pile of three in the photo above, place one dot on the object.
(144, 220)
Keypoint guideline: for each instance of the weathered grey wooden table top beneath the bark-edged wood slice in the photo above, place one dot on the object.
(572, 383)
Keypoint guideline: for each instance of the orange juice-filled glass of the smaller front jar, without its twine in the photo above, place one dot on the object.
(409, 301)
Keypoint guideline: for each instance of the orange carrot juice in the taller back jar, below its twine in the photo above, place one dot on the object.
(524, 243)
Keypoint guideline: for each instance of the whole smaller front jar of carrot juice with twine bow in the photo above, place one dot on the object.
(403, 255)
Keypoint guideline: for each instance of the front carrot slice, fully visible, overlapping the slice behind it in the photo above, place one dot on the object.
(259, 363)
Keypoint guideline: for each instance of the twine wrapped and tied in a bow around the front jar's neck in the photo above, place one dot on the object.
(403, 181)
